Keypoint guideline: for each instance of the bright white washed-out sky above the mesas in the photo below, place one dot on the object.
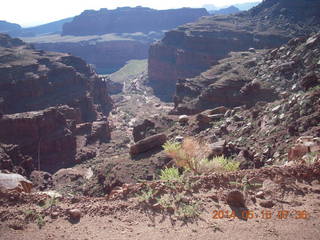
(35, 12)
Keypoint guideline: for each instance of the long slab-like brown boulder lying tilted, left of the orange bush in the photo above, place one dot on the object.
(147, 144)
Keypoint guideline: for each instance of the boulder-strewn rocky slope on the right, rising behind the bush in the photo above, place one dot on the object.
(260, 133)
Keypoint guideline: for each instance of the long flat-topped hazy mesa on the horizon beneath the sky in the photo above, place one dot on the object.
(129, 20)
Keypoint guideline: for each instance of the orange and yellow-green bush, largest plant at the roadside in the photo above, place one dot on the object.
(191, 155)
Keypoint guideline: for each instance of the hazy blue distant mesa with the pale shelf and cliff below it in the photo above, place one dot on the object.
(108, 39)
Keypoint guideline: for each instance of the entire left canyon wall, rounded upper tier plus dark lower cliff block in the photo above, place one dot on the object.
(44, 99)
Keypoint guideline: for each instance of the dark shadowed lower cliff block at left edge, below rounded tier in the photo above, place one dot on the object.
(44, 138)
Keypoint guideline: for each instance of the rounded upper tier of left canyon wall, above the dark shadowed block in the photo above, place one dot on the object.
(32, 80)
